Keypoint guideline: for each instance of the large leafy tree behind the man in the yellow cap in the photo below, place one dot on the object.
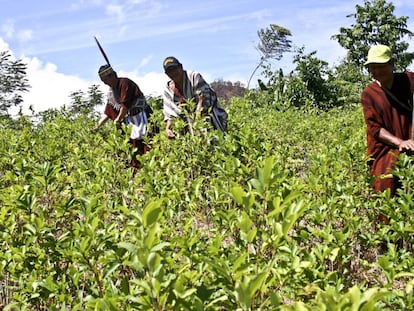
(375, 24)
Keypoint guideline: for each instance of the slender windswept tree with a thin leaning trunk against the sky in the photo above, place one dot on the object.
(273, 43)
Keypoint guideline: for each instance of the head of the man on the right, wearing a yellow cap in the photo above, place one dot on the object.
(380, 62)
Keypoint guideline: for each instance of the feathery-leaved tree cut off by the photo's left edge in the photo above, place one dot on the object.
(13, 82)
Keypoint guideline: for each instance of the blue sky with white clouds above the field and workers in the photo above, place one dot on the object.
(214, 37)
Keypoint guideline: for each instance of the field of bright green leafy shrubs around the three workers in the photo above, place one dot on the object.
(275, 215)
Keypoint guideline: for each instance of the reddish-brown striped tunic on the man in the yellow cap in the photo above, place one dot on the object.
(381, 111)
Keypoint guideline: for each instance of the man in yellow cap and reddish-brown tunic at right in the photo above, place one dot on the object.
(388, 111)
